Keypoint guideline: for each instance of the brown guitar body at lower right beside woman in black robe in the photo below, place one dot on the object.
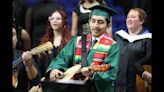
(140, 83)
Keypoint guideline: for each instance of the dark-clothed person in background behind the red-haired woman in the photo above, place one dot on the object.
(37, 18)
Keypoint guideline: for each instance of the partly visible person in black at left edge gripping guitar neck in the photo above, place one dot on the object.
(25, 72)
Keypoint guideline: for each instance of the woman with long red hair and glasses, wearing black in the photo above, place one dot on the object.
(58, 34)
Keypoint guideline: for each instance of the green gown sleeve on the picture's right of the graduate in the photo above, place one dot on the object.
(103, 78)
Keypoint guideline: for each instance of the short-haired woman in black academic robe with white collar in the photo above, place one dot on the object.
(135, 45)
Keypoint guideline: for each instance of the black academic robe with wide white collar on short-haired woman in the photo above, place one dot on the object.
(132, 49)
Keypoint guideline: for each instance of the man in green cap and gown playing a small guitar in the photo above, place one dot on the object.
(104, 51)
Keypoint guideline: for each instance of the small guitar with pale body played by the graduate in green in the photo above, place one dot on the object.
(71, 72)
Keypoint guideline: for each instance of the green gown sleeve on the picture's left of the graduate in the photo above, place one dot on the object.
(64, 58)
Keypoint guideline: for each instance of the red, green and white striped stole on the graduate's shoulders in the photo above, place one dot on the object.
(102, 49)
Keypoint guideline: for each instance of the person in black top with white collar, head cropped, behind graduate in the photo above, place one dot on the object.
(80, 15)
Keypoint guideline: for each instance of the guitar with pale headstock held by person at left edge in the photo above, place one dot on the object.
(35, 51)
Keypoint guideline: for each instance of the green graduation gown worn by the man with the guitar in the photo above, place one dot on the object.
(104, 81)
